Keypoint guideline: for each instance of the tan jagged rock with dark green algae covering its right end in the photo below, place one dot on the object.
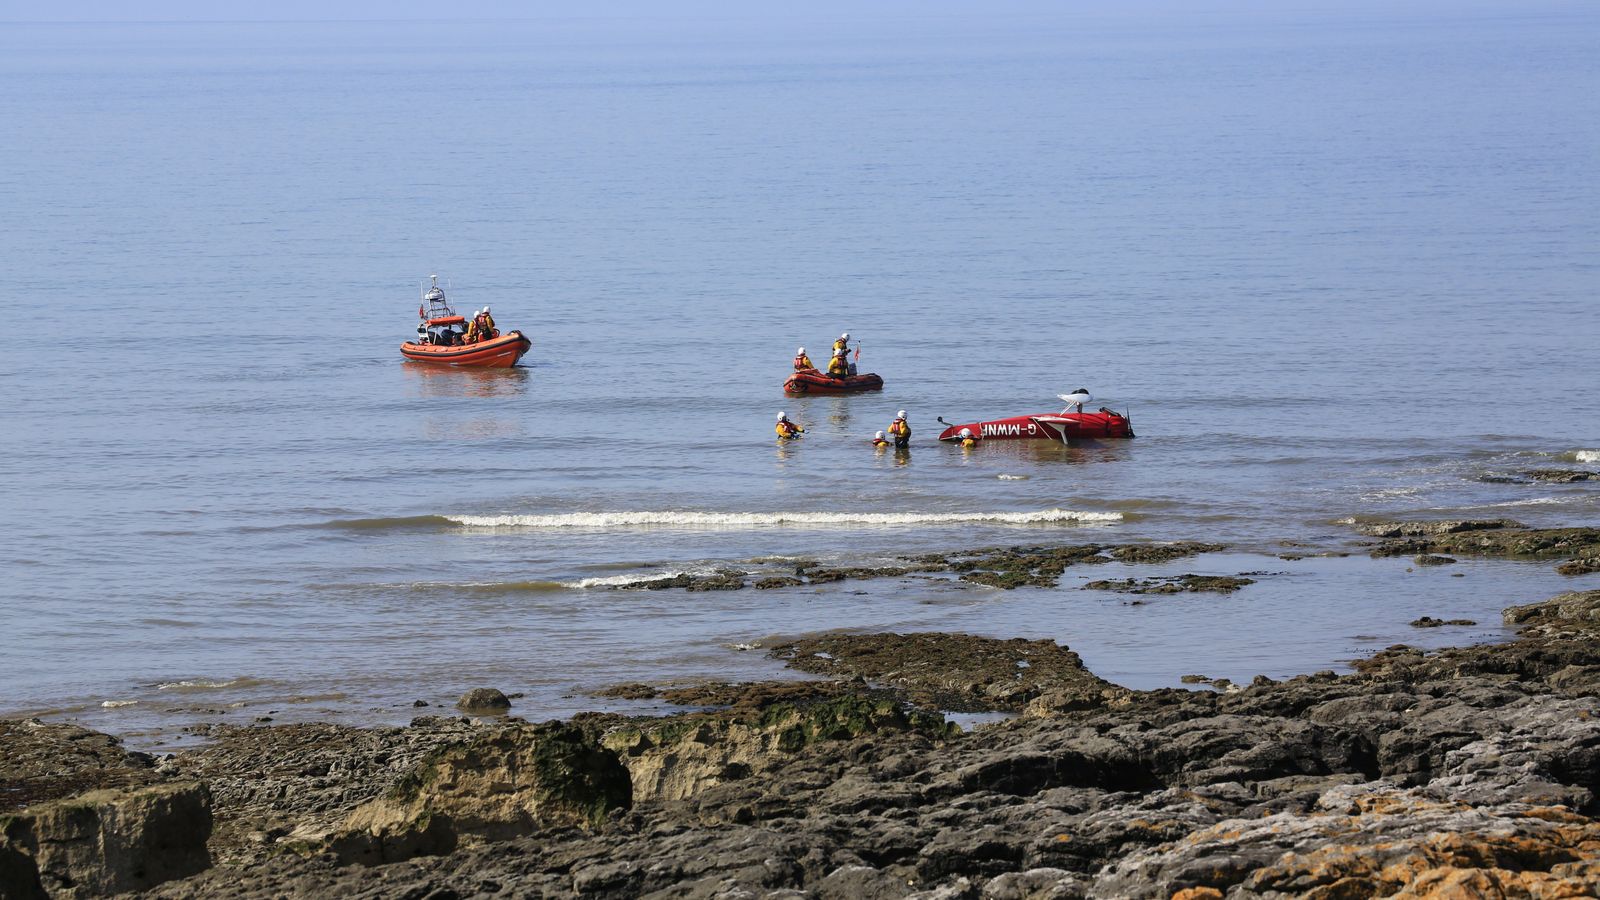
(492, 787)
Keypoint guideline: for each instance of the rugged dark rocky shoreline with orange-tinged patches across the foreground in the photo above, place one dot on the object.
(1462, 773)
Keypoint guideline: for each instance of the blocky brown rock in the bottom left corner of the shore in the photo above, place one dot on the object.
(106, 842)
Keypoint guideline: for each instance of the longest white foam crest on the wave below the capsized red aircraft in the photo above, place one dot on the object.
(778, 520)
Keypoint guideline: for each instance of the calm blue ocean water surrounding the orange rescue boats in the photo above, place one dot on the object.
(1337, 263)
